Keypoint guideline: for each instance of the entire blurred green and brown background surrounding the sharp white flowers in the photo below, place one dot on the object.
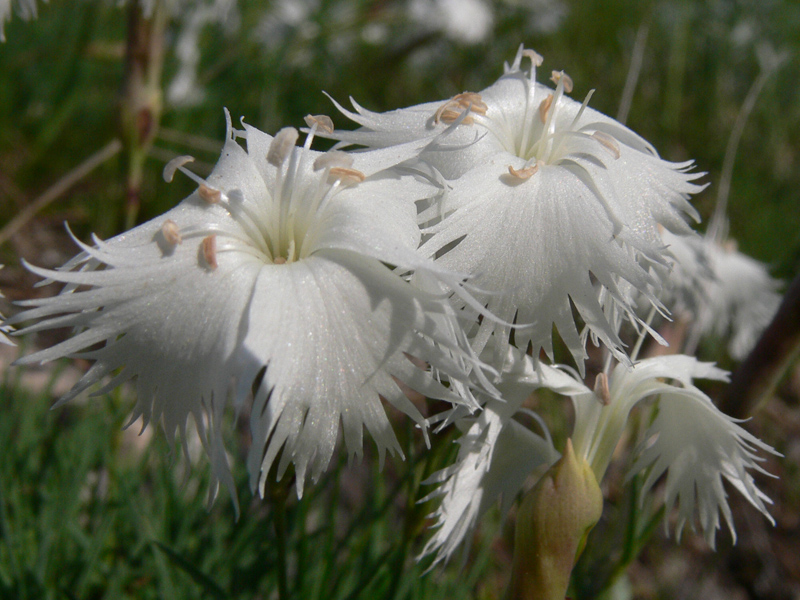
(88, 510)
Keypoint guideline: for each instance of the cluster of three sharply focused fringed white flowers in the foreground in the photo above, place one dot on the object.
(436, 257)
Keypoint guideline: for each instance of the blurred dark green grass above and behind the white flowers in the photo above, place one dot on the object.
(61, 75)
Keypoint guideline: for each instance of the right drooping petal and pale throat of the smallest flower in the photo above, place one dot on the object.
(690, 439)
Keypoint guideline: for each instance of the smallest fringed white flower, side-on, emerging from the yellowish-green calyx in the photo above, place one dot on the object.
(690, 439)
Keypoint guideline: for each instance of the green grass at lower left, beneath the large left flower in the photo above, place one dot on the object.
(87, 512)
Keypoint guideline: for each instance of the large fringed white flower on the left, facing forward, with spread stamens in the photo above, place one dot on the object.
(273, 277)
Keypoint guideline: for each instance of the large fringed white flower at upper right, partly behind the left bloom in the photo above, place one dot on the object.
(547, 198)
